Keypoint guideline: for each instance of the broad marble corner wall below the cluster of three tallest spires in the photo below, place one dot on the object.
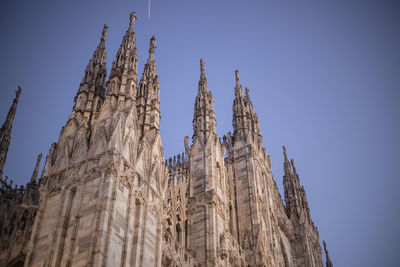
(106, 216)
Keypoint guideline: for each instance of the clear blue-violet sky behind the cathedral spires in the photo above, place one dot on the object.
(324, 79)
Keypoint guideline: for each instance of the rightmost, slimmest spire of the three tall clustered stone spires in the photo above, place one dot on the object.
(148, 94)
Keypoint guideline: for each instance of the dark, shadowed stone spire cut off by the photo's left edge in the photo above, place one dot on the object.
(5, 131)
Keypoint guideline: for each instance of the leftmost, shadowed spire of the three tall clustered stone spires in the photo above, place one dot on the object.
(91, 91)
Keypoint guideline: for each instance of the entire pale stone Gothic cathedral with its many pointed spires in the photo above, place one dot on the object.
(107, 196)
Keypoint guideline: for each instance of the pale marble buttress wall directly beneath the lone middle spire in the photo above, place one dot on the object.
(207, 204)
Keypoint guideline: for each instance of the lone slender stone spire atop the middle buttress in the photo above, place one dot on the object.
(204, 122)
